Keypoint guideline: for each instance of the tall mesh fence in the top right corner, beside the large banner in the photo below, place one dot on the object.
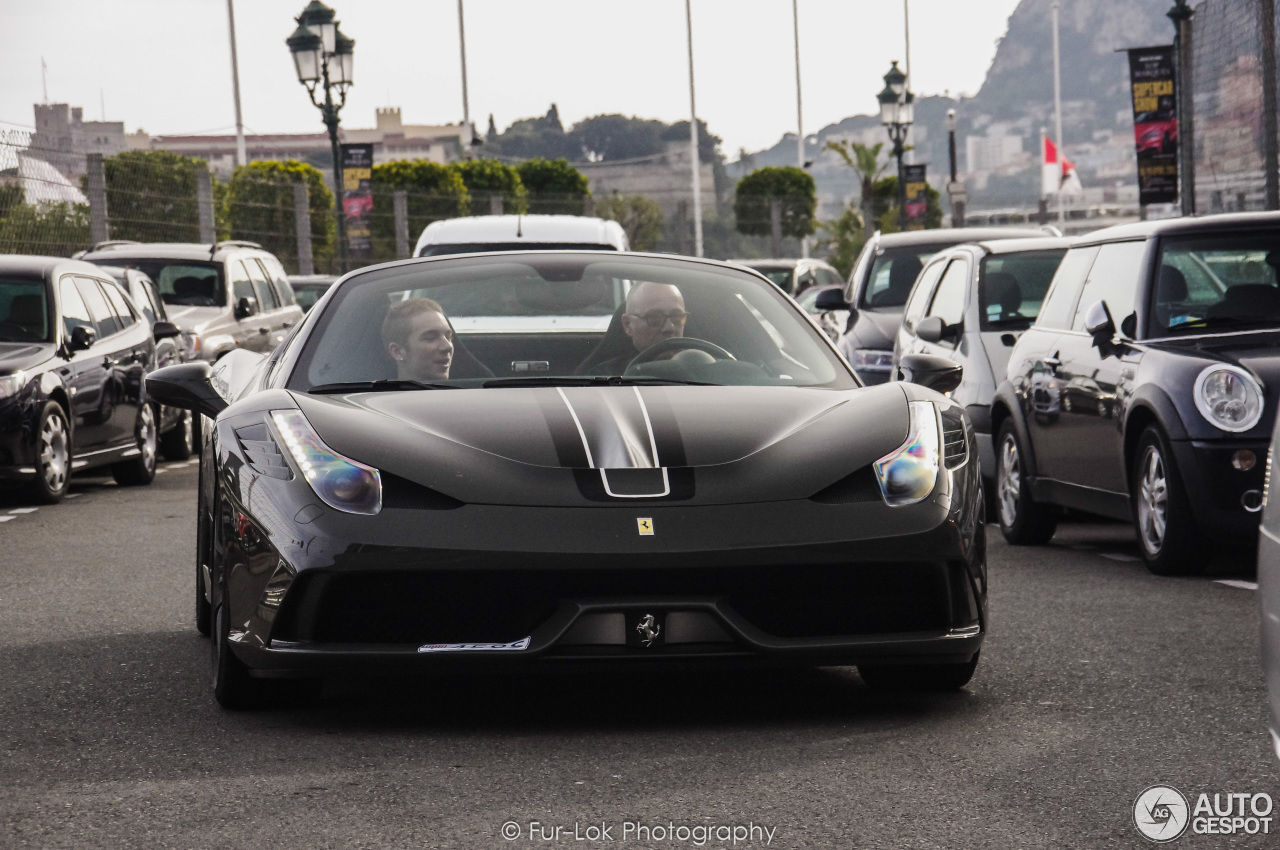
(1235, 104)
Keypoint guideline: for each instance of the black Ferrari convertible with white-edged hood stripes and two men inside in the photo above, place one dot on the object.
(536, 458)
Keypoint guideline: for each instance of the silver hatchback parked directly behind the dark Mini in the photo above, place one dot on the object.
(970, 305)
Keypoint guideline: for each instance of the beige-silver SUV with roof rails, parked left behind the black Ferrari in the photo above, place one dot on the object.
(227, 296)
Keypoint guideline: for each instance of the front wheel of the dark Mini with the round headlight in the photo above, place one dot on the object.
(1162, 513)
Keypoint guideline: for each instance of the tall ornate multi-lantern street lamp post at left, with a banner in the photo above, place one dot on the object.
(324, 58)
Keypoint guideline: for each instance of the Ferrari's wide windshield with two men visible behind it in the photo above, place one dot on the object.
(561, 319)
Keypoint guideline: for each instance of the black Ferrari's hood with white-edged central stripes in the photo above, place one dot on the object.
(537, 446)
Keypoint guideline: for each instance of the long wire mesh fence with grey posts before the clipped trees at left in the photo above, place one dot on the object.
(56, 202)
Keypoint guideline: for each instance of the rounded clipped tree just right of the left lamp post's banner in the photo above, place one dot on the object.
(435, 193)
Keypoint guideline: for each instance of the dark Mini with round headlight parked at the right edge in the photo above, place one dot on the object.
(1163, 341)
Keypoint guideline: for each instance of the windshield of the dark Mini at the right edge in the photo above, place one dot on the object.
(1218, 282)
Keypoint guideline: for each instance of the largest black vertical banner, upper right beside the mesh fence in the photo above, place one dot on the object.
(1155, 124)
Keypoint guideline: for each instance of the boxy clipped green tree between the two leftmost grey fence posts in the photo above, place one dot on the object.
(152, 196)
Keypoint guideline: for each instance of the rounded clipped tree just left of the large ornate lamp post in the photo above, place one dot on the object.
(259, 207)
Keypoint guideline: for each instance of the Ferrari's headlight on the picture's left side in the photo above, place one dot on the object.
(340, 482)
